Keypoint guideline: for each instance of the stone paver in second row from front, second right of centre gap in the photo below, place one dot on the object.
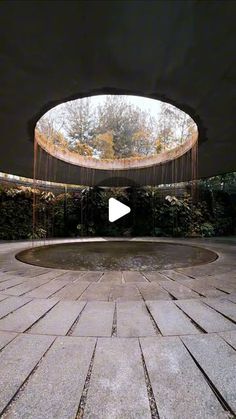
(169, 319)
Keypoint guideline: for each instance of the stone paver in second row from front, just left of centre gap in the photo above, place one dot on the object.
(96, 319)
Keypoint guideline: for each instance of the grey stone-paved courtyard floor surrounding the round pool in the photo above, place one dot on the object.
(116, 345)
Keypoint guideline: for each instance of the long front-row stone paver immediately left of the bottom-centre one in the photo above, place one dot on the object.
(54, 391)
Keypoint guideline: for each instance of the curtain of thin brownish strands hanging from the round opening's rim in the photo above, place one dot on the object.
(47, 168)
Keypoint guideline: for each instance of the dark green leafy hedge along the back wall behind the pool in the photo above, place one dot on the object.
(85, 213)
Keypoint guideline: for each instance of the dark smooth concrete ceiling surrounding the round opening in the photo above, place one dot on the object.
(179, 51)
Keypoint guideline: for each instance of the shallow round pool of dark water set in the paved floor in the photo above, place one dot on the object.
(116, 255)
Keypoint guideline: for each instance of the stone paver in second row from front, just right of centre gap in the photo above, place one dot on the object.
(133, 320)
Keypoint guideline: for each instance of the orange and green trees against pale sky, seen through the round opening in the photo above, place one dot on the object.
(114, 129)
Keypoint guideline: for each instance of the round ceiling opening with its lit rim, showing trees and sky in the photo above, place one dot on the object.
(115, 132)
